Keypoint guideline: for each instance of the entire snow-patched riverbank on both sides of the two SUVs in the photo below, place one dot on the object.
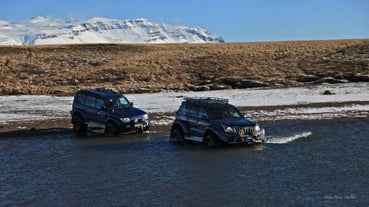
(34, 108)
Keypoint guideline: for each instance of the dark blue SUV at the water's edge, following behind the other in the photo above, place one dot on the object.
(108, 110)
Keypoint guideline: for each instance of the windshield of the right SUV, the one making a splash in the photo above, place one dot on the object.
(224, 112)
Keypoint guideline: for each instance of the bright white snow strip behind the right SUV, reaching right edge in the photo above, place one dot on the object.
(169, 101)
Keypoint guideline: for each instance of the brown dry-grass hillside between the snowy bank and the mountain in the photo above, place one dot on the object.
(136, 68)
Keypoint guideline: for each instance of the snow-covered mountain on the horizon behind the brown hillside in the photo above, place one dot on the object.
(45, 30)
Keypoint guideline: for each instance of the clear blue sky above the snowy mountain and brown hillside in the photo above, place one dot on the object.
(233, 20)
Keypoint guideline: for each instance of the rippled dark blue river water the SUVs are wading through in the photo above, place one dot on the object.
(308, 163)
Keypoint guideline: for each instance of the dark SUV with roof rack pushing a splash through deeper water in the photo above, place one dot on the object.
(213, 121)
